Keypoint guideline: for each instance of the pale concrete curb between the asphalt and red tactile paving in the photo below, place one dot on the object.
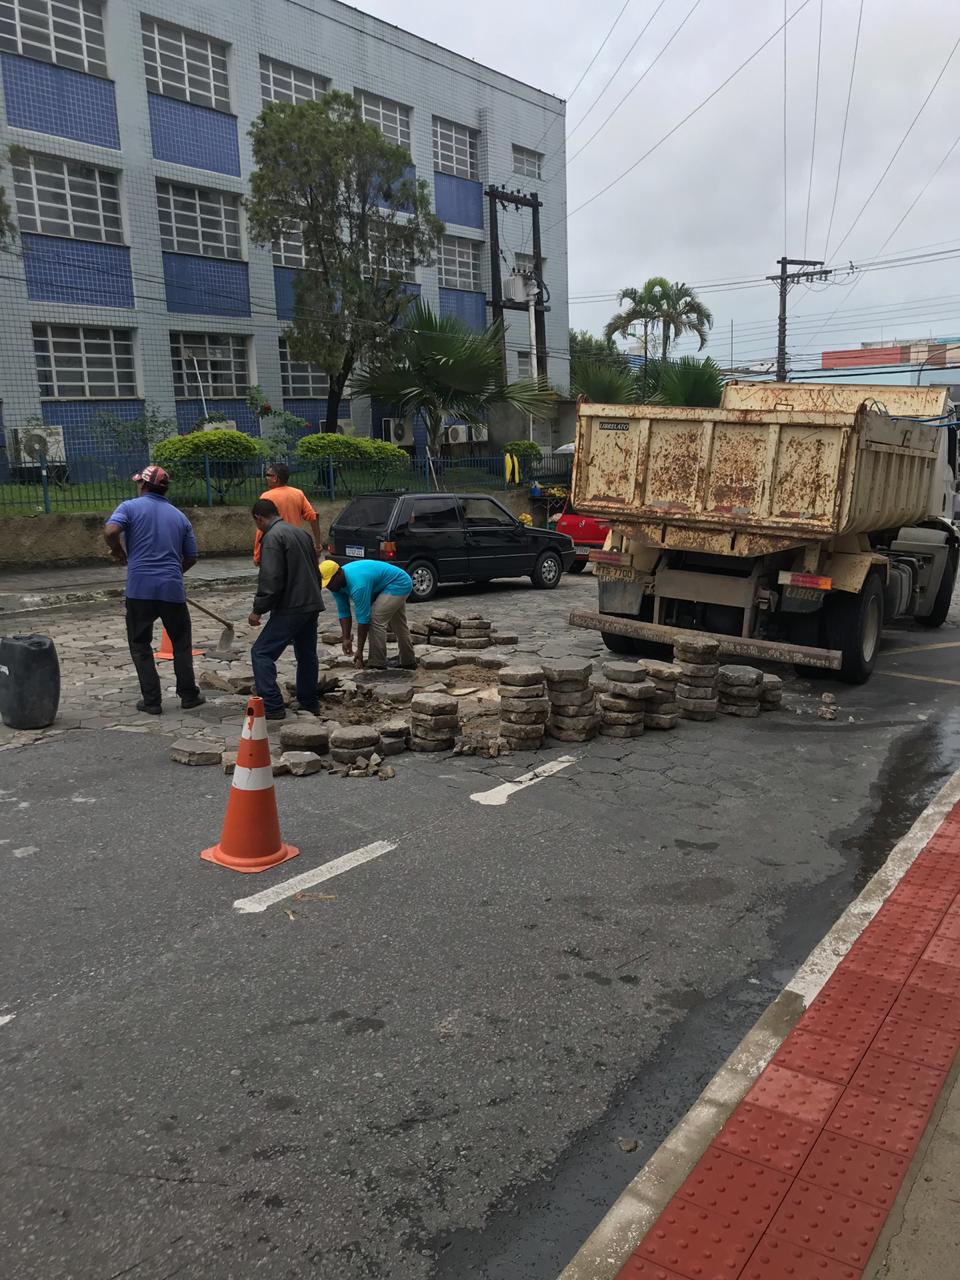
(611, 1245)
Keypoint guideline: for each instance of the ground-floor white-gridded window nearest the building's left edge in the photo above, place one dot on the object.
(84, 363)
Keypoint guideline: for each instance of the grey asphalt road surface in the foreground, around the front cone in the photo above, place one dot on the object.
(423, 1068)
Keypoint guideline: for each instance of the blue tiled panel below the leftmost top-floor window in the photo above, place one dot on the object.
(61, 102)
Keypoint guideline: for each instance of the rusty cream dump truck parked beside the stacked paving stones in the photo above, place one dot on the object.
(789, 524)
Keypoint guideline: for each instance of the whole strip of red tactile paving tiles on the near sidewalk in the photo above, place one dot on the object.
(801, 1180)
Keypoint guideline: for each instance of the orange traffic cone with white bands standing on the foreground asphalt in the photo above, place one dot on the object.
(252, 831)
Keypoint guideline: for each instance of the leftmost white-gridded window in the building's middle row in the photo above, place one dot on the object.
(66, 198)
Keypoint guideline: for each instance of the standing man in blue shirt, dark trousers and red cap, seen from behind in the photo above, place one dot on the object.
(157, 543)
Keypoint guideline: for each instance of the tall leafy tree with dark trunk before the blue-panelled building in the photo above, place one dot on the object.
(326, 175)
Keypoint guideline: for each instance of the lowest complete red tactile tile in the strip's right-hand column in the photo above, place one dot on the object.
(838, 1227)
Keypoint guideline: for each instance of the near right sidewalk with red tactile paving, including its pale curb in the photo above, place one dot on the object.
(842, 1160)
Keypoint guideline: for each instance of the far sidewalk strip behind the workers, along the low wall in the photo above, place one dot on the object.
(49, 588)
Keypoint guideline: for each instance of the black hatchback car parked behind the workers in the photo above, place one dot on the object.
(449, 538)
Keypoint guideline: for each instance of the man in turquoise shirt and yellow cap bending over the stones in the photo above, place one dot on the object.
(378, 593)
